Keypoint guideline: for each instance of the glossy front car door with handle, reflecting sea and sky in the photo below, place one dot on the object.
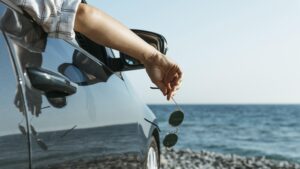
(94, 125)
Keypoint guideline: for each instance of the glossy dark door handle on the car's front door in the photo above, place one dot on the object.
(50, 82)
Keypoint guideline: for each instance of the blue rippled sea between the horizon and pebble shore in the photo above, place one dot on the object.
(272, 131)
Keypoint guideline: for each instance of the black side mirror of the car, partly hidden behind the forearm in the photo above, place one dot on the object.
(126, 62)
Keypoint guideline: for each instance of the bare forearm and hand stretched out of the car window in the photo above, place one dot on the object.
(105, 30)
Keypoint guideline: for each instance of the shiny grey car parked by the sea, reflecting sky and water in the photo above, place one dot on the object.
(68, 104)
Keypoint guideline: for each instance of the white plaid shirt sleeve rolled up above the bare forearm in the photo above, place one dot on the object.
(57, 17)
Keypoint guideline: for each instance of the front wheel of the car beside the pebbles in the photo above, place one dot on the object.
(152, 160)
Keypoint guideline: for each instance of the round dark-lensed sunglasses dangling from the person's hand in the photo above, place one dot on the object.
(175, 119)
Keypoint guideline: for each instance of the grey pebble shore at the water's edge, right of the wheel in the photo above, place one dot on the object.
(187, 159)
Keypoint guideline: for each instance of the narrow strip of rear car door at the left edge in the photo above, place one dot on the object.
(14, 148)
